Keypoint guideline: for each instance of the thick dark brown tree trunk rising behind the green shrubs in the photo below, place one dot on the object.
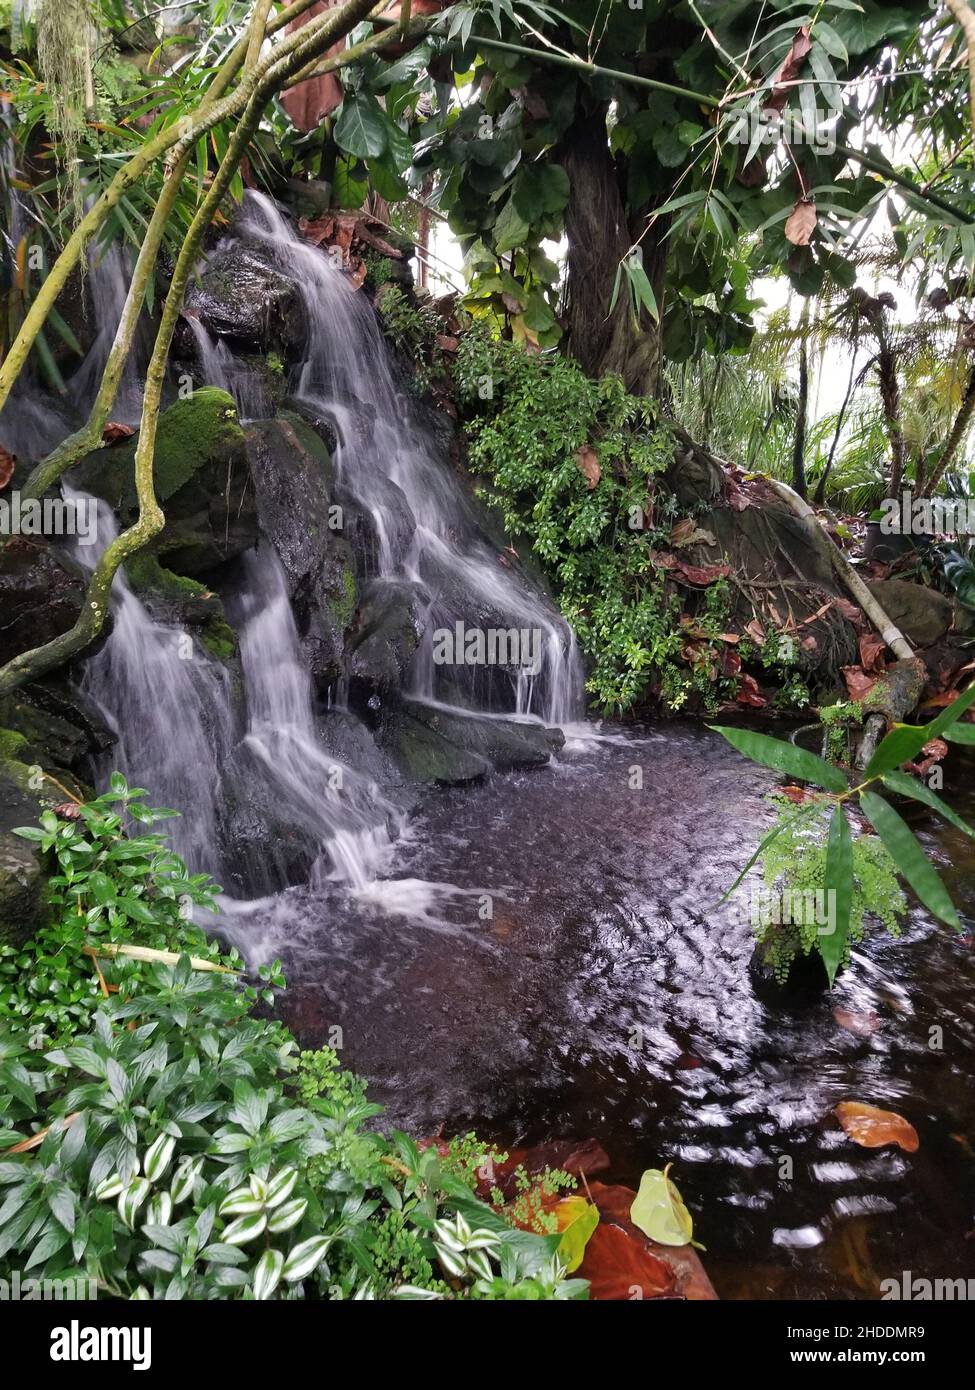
(600, 237)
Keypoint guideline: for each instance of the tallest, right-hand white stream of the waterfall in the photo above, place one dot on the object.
(425, 525)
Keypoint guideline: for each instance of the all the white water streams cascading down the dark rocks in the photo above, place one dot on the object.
(265, 804)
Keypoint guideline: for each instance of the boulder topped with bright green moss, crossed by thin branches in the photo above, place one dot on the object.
(202, 483)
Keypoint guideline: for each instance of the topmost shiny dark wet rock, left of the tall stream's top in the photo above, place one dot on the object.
(243, 297)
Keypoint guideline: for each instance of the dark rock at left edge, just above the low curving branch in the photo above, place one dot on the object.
(41, 596)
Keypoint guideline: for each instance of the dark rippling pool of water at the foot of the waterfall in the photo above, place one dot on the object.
(606, 999)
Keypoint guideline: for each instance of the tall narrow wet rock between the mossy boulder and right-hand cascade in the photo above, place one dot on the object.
(294, 479)
